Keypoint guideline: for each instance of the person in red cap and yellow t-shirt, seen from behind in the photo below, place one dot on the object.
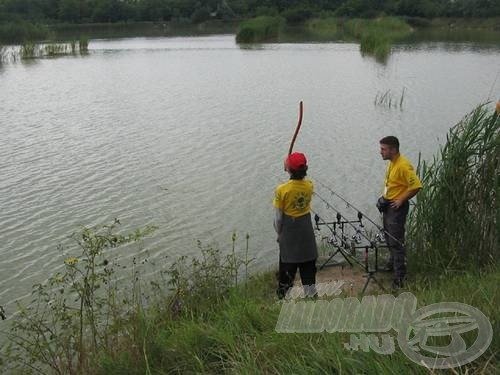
(292, 202)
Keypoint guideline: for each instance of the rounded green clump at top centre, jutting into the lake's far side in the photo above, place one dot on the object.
(260, 29)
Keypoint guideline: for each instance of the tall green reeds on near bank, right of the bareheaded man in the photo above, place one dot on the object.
(454, 224)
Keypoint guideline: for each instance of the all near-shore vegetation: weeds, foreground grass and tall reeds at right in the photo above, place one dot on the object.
(102, 314)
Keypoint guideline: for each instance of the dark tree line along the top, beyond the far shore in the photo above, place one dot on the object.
(89, 11)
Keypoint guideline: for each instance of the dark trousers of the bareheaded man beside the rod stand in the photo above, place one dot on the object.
(394, 224)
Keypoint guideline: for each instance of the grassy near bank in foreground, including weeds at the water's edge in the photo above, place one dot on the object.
(234, 331)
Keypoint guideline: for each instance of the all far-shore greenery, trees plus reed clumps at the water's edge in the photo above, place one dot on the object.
(375, 25)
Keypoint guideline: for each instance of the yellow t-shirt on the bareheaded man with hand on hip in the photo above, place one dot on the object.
(399, 178)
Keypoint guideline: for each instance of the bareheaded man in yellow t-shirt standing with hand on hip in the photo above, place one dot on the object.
(400, 185)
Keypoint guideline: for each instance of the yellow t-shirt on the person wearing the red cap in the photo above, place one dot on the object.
(294, 197)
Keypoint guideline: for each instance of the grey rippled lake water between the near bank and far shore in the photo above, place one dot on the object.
(190, 133)
